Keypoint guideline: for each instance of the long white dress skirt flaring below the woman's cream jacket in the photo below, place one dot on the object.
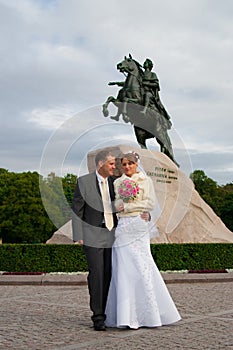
(138, 296)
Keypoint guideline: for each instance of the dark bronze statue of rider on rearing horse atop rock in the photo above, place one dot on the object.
(139, 103)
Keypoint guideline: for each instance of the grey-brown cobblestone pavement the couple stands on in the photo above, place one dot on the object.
(58, 318)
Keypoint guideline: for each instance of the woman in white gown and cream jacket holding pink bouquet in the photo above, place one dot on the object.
(138, 296)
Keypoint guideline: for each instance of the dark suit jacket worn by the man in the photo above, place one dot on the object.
(88, 212)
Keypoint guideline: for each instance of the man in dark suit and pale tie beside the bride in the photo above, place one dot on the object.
(94, 229)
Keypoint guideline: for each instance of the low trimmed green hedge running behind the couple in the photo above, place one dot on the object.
(71, 258)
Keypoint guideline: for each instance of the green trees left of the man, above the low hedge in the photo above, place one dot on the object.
(33, 207)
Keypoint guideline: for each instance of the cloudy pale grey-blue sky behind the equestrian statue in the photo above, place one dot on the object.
(57, 57)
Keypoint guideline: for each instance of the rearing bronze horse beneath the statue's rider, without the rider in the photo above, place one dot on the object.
(130, 102)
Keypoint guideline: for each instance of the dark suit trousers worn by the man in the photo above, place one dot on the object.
(99, 262)
